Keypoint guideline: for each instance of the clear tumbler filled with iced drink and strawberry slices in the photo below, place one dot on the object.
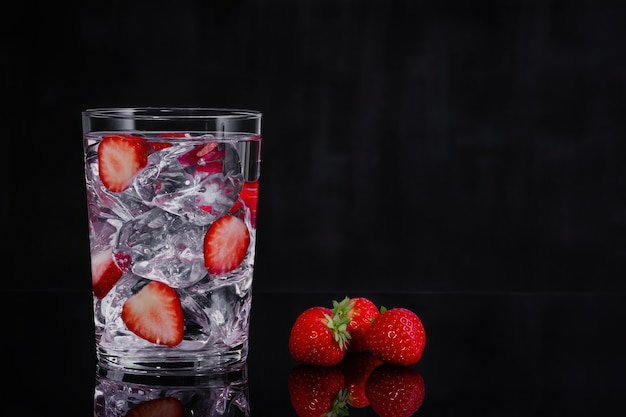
(172, 203)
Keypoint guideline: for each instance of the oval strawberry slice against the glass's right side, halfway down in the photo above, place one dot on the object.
(225, 244)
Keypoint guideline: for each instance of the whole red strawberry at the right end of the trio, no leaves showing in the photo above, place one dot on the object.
(397, 336)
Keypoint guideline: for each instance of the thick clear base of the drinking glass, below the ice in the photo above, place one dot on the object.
(180, 368)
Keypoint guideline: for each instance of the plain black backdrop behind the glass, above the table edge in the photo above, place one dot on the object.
(426, 146)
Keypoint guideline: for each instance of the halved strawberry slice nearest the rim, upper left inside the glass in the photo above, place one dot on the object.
(120, 157)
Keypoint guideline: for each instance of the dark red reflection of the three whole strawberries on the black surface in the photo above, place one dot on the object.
(359, 381)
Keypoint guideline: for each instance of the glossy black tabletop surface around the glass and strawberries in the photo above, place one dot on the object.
(513, 354)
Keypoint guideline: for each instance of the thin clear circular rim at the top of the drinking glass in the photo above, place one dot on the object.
(172, 113)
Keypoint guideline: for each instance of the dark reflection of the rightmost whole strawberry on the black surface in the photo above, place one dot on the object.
(395, 391)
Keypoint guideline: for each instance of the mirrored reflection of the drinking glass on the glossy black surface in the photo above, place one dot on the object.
(223, 394)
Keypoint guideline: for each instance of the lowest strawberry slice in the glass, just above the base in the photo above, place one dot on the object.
(155, 314)
